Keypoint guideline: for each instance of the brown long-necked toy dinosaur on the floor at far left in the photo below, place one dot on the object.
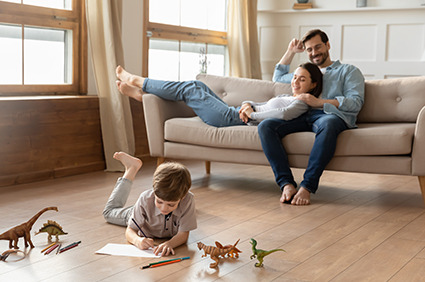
(23, 230)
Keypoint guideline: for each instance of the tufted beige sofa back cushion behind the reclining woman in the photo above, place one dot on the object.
(234, 91)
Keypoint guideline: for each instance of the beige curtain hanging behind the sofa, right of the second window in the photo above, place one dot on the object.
(242, 37)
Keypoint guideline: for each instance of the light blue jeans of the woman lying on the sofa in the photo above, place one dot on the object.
(204, 102)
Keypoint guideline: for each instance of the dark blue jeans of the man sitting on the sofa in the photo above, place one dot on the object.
(327, 128)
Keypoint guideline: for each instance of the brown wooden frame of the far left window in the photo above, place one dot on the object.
(34, 16)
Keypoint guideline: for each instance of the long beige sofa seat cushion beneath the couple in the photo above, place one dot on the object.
(366, 140)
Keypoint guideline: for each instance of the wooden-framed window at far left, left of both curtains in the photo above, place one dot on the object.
(42, 47)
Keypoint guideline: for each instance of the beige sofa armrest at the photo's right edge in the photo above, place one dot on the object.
(418, 151)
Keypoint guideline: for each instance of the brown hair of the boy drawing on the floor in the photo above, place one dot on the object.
(171, 181)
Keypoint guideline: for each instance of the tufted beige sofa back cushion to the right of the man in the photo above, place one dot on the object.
(393, 100)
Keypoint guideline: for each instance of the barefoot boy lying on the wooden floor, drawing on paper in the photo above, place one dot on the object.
(167, 210)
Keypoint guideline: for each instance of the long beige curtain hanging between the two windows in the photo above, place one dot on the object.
(104, 29)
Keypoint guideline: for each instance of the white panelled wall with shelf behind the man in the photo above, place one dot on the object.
(385, 39)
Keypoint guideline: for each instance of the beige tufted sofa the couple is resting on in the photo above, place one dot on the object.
(390, 138)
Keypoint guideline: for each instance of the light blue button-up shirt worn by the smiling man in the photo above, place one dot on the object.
(342, 82)
